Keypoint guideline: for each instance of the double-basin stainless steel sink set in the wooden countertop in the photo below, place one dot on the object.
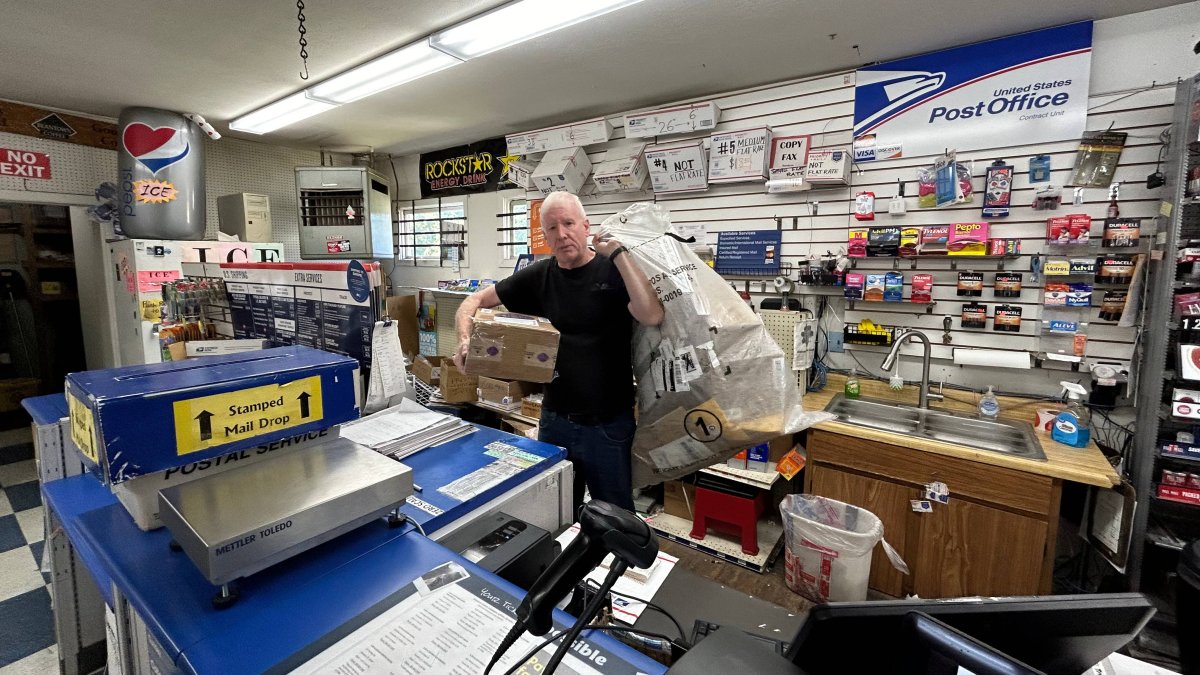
(1016, 439)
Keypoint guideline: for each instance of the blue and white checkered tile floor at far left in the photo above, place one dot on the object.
(27, 622)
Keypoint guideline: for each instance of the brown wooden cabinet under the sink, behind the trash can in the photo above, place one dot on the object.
(995, 537)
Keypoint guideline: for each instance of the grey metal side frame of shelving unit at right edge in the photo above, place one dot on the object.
(1159, 334)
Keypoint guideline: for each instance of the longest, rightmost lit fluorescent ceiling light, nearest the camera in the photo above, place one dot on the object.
(518, 22)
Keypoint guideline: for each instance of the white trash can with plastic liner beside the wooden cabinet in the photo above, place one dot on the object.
(827, 548)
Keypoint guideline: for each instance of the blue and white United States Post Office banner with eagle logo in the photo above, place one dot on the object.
(1017, 91)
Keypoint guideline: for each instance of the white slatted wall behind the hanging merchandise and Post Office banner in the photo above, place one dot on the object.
(1129, 53)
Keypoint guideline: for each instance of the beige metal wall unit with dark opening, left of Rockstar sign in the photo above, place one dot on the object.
(345, 213)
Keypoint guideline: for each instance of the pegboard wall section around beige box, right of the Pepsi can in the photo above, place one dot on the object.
(233, 165)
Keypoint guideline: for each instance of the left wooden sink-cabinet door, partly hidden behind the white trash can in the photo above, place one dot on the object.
(889, 501)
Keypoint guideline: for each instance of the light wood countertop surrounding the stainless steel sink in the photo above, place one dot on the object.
(1078, 465)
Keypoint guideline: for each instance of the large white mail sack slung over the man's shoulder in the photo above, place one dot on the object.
(711, 380)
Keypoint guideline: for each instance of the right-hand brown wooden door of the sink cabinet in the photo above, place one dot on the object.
(969, 549)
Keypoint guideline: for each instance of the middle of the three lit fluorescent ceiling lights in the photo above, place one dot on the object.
(385, 73)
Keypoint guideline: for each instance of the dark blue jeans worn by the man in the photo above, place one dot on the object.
(601, 455)
